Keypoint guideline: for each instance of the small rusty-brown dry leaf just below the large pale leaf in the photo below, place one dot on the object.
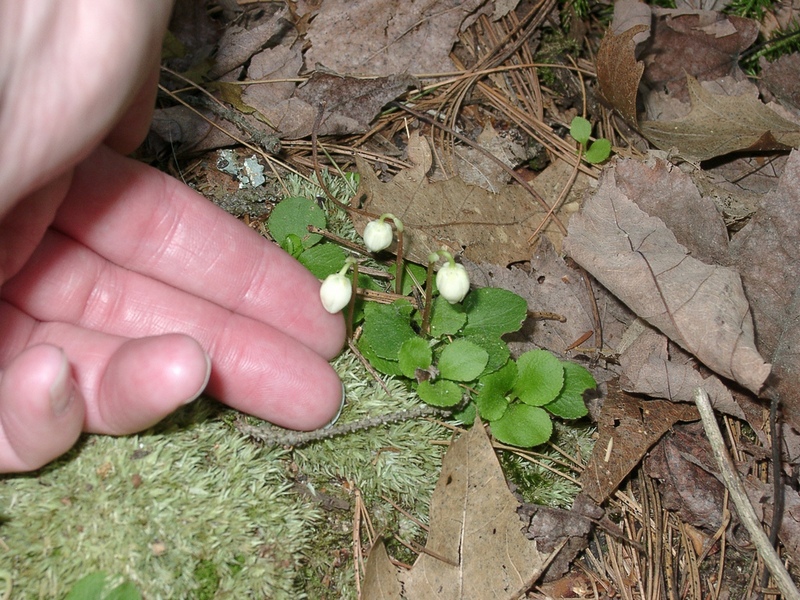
(628, 427)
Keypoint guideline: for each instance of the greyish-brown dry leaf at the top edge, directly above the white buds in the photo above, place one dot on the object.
(376, 37)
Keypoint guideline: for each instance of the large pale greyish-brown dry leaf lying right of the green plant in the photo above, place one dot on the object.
(700, 307)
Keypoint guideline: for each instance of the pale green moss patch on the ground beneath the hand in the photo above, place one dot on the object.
(192, 508)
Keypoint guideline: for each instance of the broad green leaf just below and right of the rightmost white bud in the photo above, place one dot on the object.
(493, 312)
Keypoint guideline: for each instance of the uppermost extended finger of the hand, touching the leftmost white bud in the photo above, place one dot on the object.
(148, 222)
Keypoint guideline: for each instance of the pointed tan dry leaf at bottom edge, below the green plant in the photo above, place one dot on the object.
(474, 530)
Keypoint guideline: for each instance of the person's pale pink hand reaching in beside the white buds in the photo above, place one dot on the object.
(123, 294)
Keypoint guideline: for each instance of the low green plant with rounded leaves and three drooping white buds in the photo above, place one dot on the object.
(445, 342)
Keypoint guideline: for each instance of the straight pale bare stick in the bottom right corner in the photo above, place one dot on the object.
(740, 500)
